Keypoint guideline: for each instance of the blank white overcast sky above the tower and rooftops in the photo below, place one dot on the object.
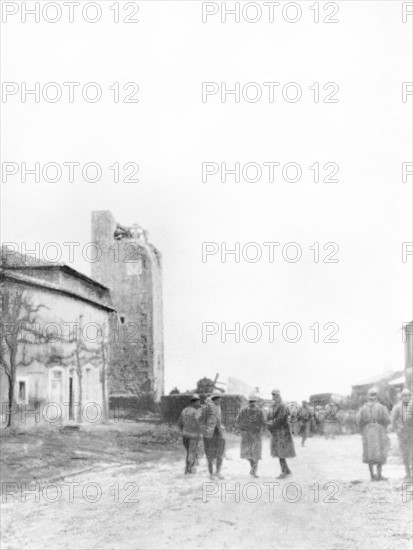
(171, 132)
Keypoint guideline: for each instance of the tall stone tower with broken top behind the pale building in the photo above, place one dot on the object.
(131, 268)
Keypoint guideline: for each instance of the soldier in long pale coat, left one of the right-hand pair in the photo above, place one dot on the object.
(373, 419)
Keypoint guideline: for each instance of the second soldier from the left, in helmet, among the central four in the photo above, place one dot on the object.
(212, 431)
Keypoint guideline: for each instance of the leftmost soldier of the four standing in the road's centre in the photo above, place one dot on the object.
(191, 431)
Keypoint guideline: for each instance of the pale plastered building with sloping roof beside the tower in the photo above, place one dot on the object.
(56, 322)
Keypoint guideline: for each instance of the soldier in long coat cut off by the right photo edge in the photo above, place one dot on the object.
(402, 423)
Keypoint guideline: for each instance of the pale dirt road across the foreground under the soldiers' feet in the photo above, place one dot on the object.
(328, 503)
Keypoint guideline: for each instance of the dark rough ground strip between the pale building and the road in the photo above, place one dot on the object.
(47, 453)
